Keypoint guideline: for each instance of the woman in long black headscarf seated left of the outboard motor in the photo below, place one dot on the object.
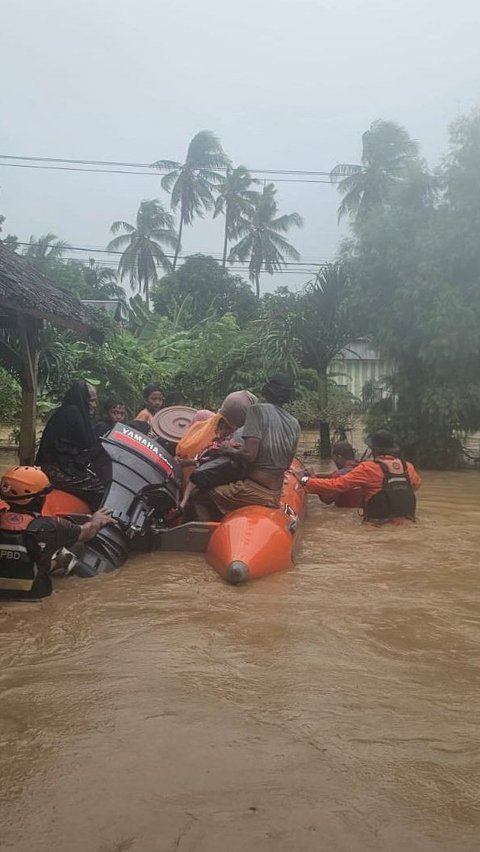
(66, 444)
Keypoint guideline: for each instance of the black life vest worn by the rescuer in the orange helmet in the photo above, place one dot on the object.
(19, 553)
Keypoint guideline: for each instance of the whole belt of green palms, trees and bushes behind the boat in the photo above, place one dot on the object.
(407, 280)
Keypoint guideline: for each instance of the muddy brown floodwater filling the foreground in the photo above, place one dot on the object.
(334, 708)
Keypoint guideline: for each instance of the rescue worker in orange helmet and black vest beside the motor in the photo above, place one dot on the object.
(28, 540)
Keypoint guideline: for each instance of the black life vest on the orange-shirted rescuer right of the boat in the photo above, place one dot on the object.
(397, 497)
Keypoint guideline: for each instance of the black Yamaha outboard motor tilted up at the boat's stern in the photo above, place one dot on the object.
(145, 483)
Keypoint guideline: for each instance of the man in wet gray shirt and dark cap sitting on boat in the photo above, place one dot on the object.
(270, 437)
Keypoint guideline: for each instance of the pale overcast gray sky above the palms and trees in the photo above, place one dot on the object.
(285, 84)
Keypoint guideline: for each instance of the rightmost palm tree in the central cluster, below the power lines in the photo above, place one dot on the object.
(262, 244)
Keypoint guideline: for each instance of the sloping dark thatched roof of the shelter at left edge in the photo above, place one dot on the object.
(25, 290)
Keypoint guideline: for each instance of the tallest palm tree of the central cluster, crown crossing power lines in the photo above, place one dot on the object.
(193, 182)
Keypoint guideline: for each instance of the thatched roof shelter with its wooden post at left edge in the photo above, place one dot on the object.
(27, 299)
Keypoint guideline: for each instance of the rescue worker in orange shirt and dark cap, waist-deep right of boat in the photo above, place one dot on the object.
(387, 482)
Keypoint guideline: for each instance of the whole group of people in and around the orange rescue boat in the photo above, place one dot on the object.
(230, 459)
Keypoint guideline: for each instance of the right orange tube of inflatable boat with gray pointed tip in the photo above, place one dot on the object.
(255, 541)
